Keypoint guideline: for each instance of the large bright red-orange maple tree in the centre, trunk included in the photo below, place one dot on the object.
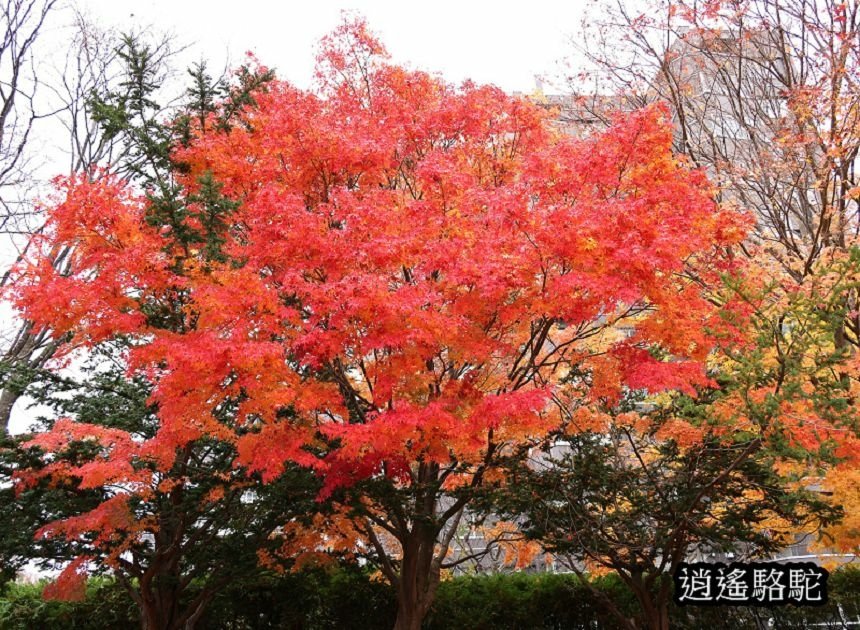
(409, 280)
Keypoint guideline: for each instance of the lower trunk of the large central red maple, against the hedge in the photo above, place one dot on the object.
(418, 580)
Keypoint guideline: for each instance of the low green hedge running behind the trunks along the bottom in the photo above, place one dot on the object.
(349, 599)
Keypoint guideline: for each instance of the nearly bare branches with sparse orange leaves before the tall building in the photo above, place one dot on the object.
(762, 95)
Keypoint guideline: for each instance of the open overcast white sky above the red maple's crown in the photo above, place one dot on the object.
(505, 43)
